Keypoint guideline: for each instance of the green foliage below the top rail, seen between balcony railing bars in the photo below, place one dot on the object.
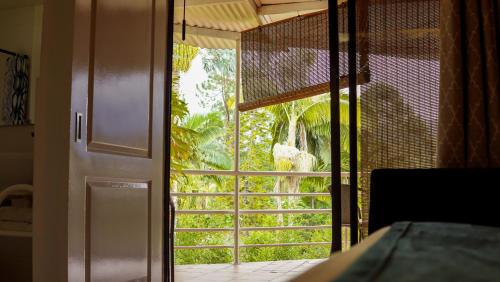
(197, 184)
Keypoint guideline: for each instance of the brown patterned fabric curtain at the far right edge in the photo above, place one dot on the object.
(469, 111)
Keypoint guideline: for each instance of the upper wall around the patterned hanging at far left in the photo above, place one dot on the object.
(21, 32)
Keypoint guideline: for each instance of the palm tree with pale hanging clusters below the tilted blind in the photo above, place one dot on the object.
(301, 139)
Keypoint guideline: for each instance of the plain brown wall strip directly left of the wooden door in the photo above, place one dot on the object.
(52, 139)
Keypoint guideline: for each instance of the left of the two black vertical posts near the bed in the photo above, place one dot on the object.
(333, 33)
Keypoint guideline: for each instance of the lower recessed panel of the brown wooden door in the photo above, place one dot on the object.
(117, 231)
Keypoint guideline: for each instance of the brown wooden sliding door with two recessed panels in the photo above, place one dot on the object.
(116, 175)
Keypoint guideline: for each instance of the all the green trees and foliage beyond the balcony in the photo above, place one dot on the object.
(206, 141)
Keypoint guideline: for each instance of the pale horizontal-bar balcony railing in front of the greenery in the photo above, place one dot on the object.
(236, 211)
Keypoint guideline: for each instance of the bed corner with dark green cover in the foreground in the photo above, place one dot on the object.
(417, 251)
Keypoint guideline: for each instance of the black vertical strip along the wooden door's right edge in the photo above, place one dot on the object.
(167, 104)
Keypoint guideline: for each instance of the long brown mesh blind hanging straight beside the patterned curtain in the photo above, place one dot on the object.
(399, 105)
